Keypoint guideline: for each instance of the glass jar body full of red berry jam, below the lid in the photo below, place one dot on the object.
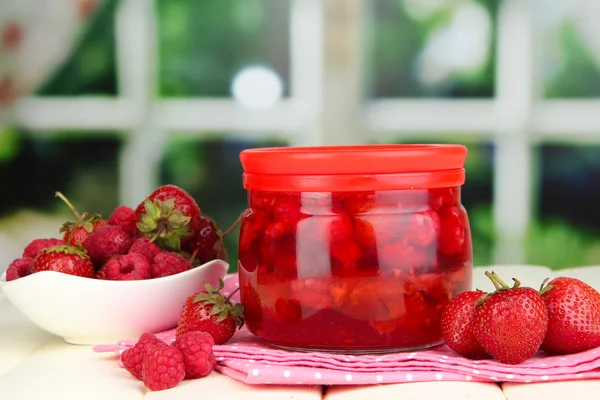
(352, 270)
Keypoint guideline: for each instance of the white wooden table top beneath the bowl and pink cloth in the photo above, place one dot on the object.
(37, 365)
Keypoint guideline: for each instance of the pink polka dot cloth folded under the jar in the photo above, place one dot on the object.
(249, 360)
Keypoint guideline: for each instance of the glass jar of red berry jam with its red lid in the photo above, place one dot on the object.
(353, 249)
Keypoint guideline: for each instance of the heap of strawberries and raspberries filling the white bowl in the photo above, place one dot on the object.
(164, 235)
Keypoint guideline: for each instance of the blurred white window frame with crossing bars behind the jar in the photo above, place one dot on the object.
(326, 106)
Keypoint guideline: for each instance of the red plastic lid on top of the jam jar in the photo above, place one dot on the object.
(351, 168)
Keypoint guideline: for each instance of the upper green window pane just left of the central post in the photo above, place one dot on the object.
(204, 44)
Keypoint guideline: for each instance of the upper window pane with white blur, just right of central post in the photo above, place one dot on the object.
(432, 48)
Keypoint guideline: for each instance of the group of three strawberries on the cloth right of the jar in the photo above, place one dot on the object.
(512, 323)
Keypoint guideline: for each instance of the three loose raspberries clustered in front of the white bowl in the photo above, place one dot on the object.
(162, 366)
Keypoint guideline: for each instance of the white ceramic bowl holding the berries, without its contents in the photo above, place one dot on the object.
(92, 311)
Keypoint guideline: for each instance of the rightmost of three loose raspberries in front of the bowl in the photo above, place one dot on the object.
(198, 357)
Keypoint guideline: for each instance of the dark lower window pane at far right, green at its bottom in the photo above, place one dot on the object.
(568, 231)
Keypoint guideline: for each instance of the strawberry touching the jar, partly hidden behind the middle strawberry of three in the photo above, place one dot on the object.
(457, 322)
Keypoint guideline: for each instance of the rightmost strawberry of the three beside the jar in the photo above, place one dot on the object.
(574, 316)
